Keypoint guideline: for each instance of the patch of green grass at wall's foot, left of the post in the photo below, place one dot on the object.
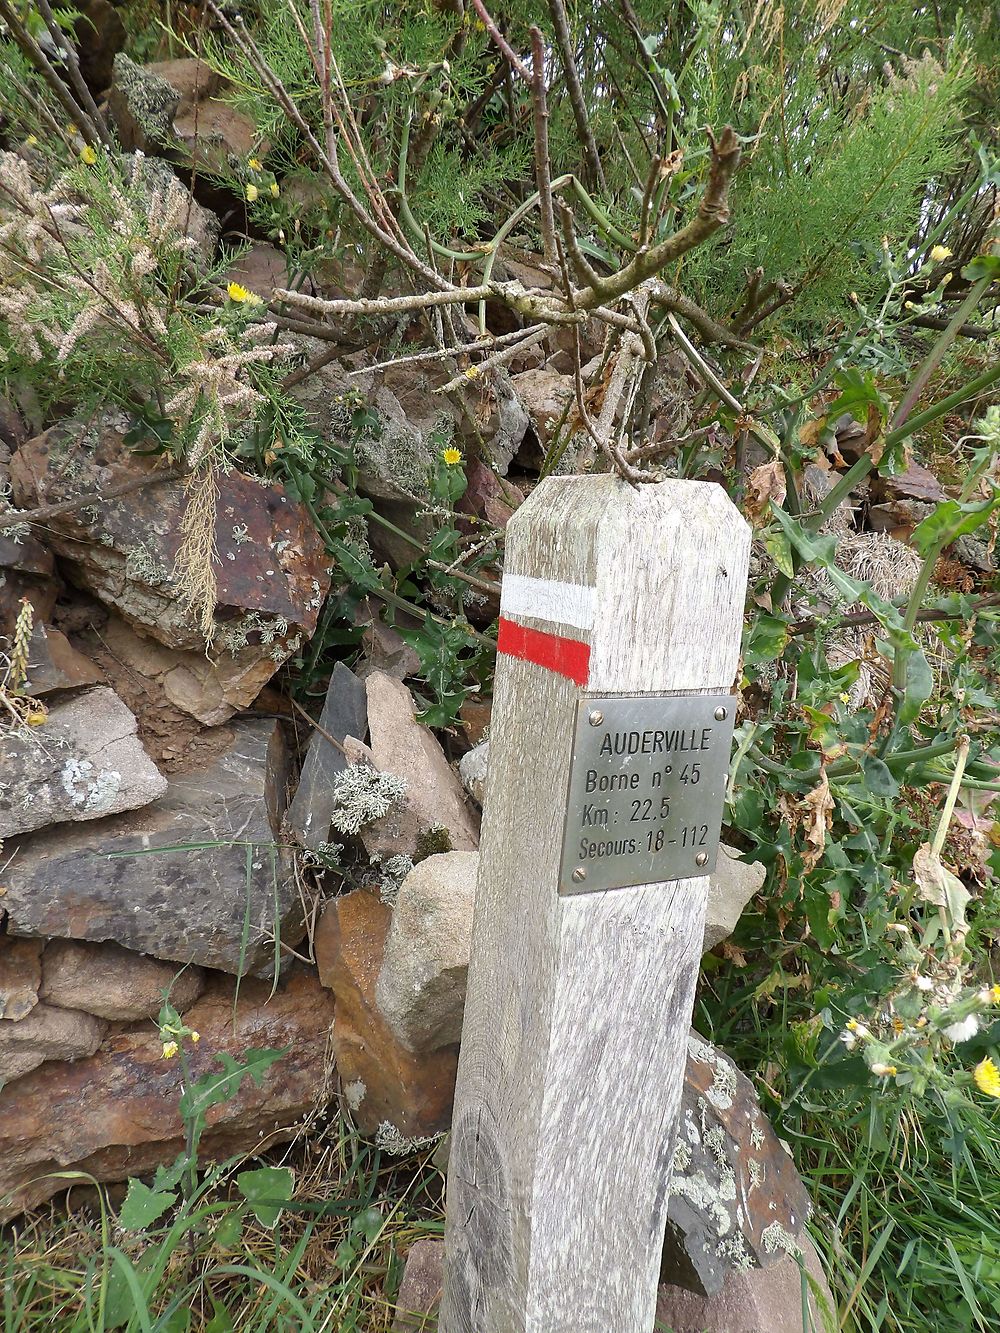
(331, 1264)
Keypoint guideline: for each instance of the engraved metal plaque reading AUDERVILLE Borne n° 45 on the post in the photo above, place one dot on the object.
(646, 790)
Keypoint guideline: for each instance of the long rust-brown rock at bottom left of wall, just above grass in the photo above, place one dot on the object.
(117, 1115)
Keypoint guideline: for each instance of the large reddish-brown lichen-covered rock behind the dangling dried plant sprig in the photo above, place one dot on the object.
(273, 571)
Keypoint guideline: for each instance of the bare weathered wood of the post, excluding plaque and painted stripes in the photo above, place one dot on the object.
(578, 1008)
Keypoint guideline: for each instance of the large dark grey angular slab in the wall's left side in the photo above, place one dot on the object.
(195, 878)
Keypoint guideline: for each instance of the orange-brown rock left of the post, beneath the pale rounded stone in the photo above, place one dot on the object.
(382, 1082)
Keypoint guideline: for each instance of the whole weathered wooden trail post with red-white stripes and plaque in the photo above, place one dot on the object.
(619, 642)
